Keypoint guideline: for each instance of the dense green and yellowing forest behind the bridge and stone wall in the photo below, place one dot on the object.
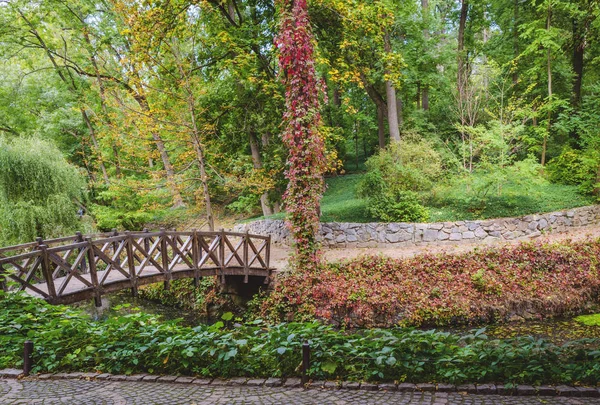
(124, 114)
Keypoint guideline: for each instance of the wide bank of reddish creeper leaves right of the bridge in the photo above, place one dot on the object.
(485, 285)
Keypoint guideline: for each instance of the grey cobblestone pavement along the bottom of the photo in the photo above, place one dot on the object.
(74, 392)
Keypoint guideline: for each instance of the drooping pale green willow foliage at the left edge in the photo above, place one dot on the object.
(40, 192)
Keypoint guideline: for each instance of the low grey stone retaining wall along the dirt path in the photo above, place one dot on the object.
(334, 234)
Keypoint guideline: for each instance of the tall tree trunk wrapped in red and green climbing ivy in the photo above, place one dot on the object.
(301, 136)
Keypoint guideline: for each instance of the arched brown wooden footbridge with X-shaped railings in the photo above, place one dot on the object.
(73, 269)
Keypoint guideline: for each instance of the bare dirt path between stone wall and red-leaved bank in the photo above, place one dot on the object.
(280, 254)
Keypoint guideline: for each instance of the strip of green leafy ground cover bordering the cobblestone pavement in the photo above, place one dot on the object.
(67, 340)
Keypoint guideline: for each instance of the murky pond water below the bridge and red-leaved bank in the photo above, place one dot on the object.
(558, 331)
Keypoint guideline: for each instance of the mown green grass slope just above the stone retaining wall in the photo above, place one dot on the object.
(340, 203)
